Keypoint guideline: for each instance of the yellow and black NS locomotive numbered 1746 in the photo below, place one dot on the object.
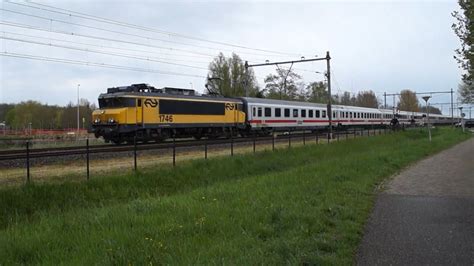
(146, 113)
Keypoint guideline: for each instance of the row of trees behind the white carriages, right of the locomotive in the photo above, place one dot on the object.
(229, 78)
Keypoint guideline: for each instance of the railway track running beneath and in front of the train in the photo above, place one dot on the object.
(6, 155)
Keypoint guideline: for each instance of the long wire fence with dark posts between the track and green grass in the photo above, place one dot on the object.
(86, 163)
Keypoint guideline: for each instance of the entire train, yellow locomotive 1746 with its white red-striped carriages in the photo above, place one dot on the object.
(143, 113)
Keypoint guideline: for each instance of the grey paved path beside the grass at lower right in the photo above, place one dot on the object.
(426, 215)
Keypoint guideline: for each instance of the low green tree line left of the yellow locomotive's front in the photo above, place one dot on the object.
(43, 116)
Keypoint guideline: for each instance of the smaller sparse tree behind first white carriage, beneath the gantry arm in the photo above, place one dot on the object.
(283, 85)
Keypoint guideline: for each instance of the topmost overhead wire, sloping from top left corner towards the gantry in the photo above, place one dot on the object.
(67, 12)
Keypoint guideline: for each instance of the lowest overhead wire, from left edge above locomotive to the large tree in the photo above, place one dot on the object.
(95, 64)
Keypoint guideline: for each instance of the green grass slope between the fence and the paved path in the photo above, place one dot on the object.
(293, 206)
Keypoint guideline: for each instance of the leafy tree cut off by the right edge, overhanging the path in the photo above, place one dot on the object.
(464, 29)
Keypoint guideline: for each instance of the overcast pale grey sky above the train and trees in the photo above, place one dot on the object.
(384, 46)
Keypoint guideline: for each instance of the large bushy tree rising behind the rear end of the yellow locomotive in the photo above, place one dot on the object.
(228, 77)
